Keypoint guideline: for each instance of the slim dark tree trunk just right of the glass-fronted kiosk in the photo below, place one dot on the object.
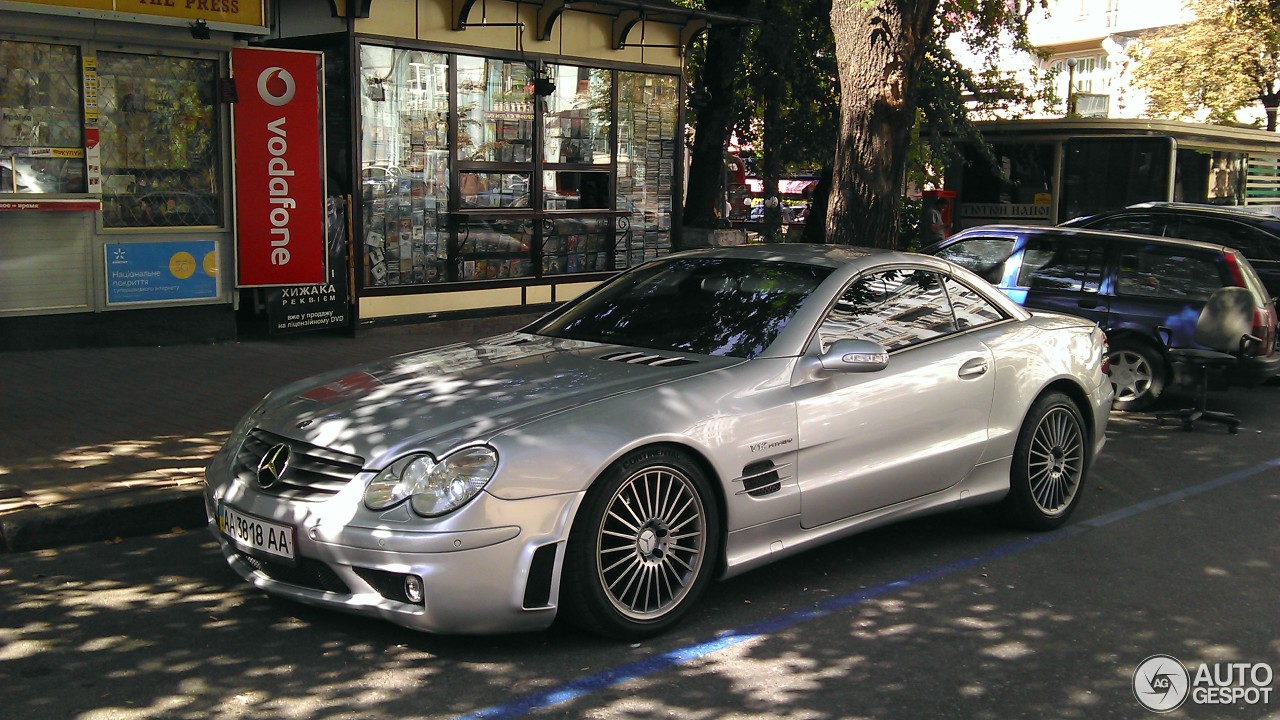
(715, 124)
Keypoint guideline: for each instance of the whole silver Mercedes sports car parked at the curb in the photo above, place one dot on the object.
(694, 418)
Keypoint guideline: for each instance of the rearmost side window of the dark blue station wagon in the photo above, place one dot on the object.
(1172, 274)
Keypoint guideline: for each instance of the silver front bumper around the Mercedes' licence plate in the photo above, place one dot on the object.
(492, 567)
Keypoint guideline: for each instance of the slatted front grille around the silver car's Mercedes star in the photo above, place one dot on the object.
(313, 472)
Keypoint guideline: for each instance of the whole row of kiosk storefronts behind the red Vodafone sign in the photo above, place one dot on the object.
(477, 157)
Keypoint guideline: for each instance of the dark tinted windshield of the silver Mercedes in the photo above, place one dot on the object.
(729, 307)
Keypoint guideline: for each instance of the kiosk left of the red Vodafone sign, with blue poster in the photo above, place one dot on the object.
(115, 171)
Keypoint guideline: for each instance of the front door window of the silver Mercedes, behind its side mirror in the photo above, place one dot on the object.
(895, 308)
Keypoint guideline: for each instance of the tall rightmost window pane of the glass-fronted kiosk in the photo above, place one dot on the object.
(648, 110)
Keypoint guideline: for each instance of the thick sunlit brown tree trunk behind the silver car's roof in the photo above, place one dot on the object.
(880, 49)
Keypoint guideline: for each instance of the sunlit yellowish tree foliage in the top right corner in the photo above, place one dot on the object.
(1226, 61)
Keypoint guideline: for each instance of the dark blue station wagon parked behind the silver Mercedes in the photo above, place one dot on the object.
(1133, 286)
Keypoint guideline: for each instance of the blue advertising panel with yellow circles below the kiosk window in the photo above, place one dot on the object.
(154, 272)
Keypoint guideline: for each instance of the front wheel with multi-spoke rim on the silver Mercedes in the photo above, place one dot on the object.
(643, 548)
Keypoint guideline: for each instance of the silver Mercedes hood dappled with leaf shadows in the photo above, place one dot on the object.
(440, 399)
